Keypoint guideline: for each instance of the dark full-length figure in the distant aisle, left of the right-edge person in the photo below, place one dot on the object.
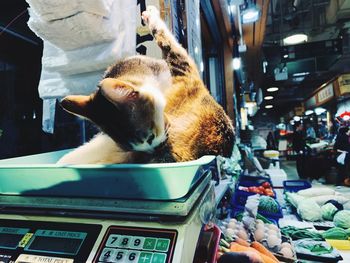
(298, 144)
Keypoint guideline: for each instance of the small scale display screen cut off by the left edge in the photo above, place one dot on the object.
(11, 236)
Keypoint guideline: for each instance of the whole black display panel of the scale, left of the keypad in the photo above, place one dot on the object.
(46, 241)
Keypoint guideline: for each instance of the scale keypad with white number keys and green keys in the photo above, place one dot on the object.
(137, 245)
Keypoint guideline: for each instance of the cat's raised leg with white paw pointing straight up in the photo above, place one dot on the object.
(177, 58)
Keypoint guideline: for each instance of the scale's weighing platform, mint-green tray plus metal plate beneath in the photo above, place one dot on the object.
(169, 189)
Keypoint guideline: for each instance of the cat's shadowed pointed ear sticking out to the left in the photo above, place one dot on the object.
(77, 104)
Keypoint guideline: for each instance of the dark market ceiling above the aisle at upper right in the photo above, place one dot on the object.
(326, 54)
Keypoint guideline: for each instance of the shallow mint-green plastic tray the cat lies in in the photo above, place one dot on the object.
(38, 175)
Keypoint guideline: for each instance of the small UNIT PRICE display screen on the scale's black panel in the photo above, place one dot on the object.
(57, 242)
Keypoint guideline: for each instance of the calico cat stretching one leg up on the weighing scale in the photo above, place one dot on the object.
(152, 110)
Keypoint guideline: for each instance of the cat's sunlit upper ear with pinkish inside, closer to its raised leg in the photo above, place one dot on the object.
(117, 91)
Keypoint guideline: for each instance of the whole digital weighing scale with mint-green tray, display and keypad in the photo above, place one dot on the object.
(103, 213)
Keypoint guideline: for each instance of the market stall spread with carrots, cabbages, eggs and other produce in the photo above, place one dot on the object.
(297, 222)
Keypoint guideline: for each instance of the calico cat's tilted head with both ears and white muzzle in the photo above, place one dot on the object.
(132, 116)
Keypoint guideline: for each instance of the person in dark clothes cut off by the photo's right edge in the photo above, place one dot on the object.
(341, 145)
